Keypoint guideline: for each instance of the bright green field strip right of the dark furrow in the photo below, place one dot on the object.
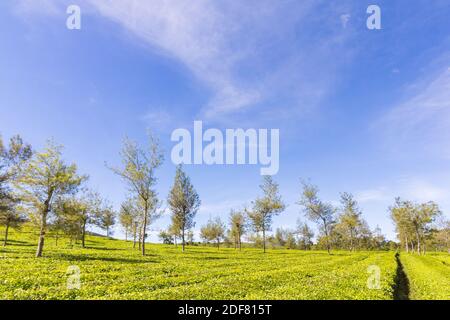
(429, 275)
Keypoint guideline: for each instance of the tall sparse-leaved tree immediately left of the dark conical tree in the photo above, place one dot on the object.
(138, 171)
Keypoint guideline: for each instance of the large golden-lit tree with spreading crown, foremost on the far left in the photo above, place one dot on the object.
(45, 178)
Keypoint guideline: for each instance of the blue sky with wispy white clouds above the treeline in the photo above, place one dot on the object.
(362, 111)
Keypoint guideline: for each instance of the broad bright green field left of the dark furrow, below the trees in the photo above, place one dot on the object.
(110, 269)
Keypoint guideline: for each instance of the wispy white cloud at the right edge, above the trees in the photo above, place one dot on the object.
(421, 123)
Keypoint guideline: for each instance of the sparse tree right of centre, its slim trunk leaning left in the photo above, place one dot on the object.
(317, 211)
